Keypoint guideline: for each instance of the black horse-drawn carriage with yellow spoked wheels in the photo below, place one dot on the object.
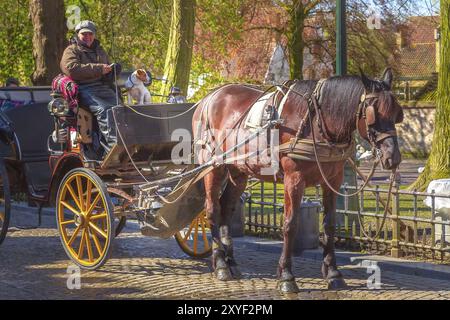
(45, 155)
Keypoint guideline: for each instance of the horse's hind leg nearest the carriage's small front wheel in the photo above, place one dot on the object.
(213, 188)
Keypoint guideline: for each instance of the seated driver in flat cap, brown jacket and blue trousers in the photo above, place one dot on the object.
(87, 63)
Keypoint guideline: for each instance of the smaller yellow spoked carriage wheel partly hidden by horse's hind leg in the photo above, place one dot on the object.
(195, 240)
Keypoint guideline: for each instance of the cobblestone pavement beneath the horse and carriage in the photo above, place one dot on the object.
(33, 265)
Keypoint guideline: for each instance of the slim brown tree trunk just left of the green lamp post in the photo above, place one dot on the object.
(296, 43)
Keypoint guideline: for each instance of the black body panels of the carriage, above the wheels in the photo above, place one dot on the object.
(39, 171)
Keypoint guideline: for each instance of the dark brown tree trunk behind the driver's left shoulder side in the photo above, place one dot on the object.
(48, 18)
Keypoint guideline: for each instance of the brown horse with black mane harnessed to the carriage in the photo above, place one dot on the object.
(335, 119)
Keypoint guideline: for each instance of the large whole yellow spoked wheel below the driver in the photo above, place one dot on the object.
(85, 218)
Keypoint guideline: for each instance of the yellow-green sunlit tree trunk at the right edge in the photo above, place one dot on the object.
(438, 164)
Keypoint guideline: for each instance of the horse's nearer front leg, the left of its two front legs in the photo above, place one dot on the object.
(293, 192)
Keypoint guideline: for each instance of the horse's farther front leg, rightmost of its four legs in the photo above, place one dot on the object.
(330, 271)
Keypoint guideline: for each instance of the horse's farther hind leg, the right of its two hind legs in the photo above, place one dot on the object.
(229, 204)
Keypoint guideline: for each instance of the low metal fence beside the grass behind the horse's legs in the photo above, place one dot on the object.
(411, 228)
